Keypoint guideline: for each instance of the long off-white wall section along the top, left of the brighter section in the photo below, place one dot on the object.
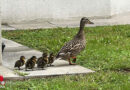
(14, 11)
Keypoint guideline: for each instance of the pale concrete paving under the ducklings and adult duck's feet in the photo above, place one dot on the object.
(14, 50)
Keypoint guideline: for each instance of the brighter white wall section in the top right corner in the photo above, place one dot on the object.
(120, 6)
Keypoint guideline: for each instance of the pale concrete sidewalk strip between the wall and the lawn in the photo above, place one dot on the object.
(74, 22)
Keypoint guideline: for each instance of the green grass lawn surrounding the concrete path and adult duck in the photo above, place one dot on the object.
(107, 52)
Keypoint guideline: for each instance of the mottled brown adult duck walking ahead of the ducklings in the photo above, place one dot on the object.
(72, 48)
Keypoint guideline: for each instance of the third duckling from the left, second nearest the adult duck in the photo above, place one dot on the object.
(42, 61)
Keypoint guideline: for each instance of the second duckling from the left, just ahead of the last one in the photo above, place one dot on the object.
(30, 63)
